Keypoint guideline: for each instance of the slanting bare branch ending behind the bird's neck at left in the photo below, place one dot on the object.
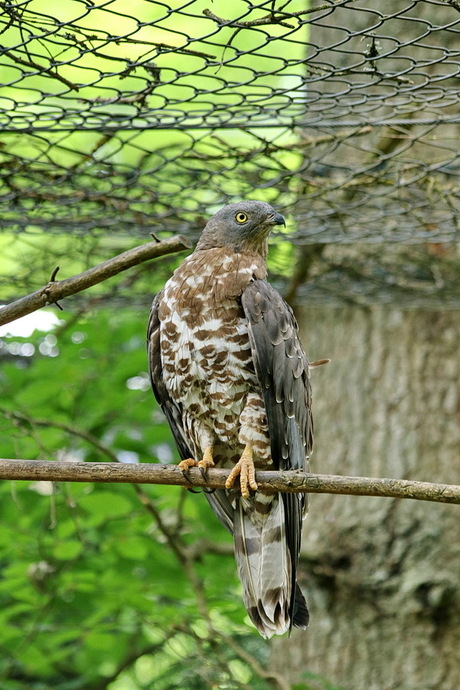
(56, 290)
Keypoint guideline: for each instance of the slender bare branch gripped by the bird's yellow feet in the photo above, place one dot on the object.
(292, 482)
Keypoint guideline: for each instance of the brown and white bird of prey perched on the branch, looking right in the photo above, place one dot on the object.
(228, 369)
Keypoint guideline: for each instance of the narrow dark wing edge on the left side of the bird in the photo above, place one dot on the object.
(170, 408)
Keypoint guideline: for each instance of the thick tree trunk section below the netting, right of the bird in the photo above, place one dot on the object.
(381, 575)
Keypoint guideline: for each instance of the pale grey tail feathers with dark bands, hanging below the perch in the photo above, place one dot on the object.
(265, 569)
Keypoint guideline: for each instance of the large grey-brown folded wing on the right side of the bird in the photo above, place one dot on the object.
(282, 369)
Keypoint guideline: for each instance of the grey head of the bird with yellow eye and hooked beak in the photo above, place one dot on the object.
(244, 226)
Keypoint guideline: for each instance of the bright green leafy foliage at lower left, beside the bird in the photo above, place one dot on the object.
(92, 595)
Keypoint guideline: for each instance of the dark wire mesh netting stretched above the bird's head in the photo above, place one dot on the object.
(122, 118)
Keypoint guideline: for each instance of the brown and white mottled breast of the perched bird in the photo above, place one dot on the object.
(205, 349)
